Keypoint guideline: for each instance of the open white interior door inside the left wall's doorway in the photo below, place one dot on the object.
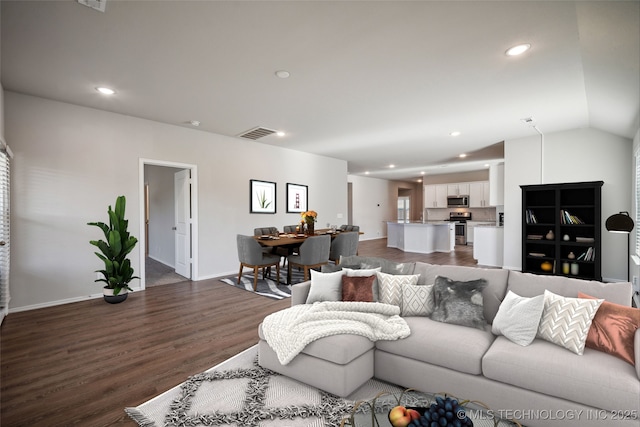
(182, 230)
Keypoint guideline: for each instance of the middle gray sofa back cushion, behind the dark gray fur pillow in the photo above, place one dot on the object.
(492, 295)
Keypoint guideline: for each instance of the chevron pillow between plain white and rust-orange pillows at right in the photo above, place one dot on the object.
(566, 321)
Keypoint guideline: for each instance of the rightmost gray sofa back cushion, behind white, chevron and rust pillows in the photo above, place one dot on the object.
(530, 285)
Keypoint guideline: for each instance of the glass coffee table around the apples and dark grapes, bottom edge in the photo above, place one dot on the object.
(374, 413)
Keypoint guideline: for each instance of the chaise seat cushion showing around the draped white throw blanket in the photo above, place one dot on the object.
(340, 349)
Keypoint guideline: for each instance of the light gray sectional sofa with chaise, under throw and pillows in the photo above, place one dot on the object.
(542, 384)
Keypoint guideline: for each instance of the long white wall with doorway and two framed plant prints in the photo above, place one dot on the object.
(71, 162)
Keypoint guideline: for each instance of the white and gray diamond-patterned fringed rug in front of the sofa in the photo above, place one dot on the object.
(240, 393)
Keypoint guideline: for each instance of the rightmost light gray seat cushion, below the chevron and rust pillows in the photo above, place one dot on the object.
(594, 379)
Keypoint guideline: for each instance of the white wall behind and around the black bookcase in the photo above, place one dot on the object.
(571, 156)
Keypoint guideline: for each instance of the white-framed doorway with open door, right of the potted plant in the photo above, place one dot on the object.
(168, 215)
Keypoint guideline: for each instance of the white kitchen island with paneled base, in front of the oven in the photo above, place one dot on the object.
(421, 237)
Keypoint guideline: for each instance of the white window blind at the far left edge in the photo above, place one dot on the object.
(5, 173)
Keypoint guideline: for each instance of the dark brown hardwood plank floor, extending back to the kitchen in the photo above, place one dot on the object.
(81, 364)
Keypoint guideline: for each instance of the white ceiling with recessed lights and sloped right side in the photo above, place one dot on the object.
(372, 82)
